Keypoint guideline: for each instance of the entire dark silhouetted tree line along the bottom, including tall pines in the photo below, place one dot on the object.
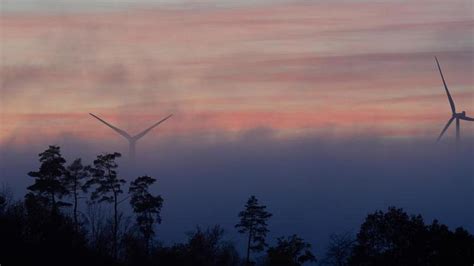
(48, 227)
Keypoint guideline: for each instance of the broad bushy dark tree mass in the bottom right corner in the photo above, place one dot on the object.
(396, 238)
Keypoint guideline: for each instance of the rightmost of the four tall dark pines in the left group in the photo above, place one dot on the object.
(146, 207)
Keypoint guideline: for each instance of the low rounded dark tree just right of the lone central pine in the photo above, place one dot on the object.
(290, 251)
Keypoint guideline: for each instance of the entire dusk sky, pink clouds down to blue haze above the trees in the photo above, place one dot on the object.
(340, 90)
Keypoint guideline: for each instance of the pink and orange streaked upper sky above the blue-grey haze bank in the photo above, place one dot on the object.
(338, 68)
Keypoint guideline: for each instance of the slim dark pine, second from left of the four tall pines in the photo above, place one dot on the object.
(73, 180)
